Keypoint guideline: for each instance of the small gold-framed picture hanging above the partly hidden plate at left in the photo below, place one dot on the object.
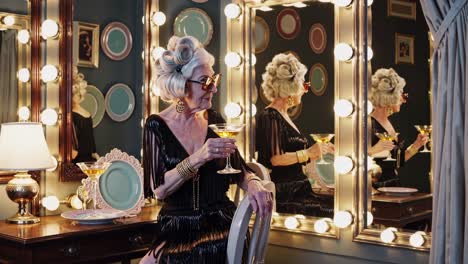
(86, 44)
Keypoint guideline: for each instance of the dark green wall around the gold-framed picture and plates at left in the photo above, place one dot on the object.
(110, 134)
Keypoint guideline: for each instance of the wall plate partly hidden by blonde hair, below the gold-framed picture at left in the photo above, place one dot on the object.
(93, 102)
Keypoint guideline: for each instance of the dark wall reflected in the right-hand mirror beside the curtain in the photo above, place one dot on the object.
(417, 110)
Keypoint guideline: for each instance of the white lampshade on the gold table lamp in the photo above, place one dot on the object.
(23, 147)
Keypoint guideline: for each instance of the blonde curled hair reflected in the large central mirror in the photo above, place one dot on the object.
(284, 77)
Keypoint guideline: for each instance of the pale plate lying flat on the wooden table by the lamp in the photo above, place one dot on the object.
(93, 217)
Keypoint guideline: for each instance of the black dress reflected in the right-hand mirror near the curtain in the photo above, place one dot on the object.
(389, 176)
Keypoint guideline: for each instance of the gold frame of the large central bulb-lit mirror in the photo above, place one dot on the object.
(345, 81)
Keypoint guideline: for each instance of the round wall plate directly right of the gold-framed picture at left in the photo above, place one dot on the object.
(116, 41)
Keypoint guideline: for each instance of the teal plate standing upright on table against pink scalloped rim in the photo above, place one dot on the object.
(120, 186)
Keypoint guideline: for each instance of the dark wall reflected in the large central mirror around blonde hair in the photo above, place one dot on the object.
(317, 112)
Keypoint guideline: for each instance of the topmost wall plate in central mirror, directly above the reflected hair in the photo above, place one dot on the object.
(288, 23)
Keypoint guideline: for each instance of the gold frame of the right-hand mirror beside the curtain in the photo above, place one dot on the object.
(361, 182)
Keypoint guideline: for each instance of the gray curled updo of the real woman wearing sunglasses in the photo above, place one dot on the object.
(176, 66)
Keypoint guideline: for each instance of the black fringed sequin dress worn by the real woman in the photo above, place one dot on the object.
(190, 236)
